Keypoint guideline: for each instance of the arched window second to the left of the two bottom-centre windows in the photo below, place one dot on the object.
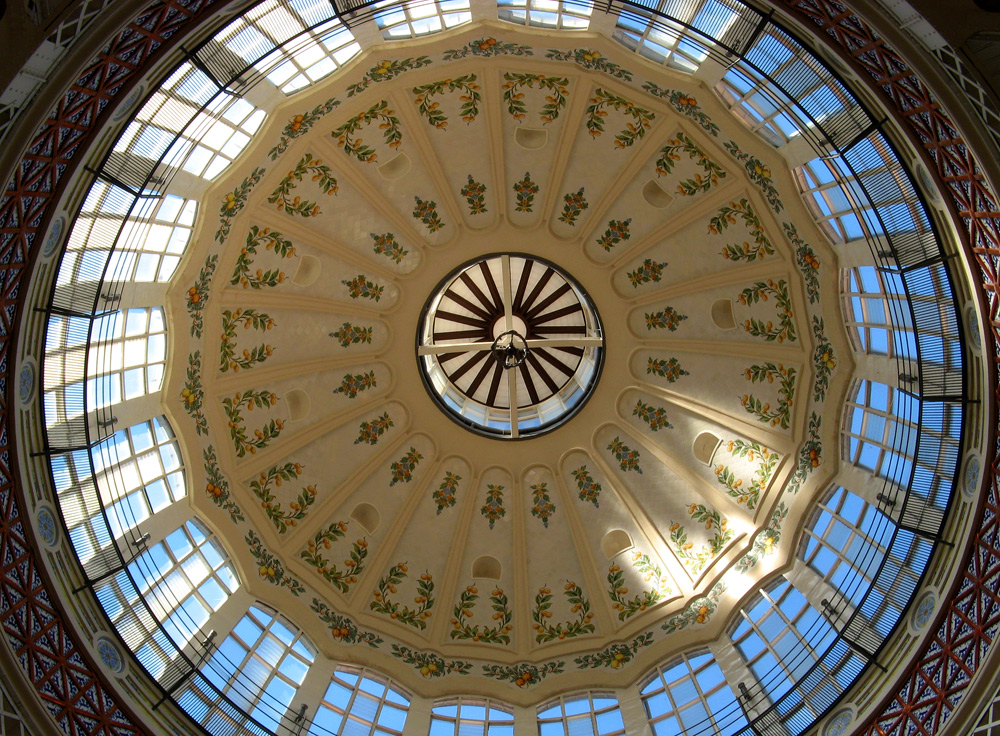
(259, 667)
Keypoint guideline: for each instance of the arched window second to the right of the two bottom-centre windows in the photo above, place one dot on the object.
(785, 642)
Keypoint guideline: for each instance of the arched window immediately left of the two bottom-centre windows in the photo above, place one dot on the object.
(359, 702)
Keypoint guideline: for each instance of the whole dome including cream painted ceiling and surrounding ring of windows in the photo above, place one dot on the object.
(527, 364)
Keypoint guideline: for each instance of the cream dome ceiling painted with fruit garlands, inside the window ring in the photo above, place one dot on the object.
(387, 528)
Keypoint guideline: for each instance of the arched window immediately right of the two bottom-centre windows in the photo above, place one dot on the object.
(690, 692)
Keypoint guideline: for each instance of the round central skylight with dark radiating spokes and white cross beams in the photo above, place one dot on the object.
(510, 345)
